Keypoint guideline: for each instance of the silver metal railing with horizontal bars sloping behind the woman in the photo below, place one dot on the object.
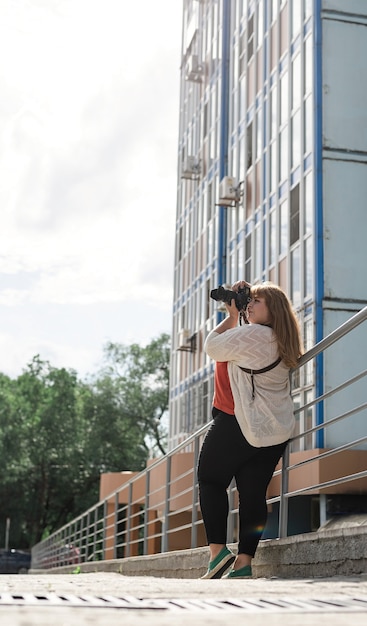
(125, 523)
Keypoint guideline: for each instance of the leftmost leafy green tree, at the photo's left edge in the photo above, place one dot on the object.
(42, 430)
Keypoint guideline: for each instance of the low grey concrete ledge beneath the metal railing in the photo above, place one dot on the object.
(338, 551)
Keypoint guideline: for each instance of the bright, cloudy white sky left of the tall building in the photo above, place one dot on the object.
(88, 175)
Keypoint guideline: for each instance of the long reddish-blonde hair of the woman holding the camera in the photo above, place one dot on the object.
(283, 321)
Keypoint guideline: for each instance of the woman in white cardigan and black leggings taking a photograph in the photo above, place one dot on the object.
(253, 420)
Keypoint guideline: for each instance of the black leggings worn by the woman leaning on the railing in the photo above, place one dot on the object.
(225, 454)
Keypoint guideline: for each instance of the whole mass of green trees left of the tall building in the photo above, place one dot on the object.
(57, 434)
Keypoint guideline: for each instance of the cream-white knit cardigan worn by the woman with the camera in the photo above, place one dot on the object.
(267, 418)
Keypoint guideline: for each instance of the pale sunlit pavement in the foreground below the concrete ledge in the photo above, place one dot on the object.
(101, 598)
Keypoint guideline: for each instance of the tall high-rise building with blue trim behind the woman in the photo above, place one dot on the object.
(272, 184)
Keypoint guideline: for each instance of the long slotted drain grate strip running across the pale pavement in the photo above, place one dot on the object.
(254, 605)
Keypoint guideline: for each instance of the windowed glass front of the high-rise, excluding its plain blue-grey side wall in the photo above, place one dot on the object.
(246, 112)
